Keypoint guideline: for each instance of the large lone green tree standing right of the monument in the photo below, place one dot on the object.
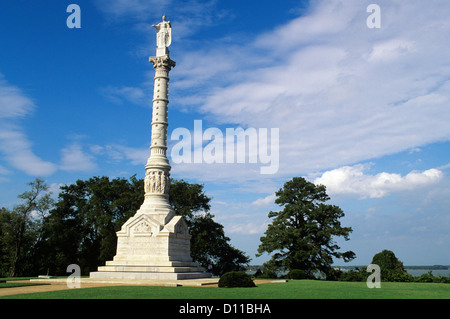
(301, 236)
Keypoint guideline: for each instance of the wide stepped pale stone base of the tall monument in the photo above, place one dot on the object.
(152, 247)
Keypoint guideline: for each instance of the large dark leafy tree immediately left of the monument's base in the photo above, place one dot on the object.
(82, 227)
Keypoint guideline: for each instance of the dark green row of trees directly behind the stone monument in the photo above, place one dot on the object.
(43, 236)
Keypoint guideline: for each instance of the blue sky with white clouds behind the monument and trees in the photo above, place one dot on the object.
(364, 111)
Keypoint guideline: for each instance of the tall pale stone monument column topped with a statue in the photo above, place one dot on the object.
(155, 243)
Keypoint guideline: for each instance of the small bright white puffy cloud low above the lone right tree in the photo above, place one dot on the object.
(354, 180)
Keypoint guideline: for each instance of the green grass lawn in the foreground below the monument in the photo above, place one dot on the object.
(293, 289)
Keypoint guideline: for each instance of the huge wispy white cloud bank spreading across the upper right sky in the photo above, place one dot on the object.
(339, 92)
